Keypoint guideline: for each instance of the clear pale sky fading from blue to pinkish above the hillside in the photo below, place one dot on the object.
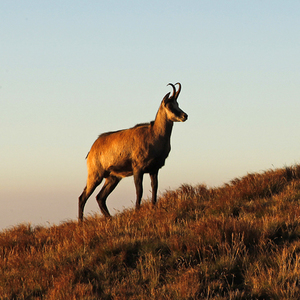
(71, 70)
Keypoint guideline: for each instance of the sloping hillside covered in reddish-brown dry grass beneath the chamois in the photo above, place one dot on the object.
(238, 241)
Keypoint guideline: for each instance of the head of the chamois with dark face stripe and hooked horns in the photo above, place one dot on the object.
(174, 113)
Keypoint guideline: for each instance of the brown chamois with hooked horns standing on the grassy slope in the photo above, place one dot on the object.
(134, 151)
